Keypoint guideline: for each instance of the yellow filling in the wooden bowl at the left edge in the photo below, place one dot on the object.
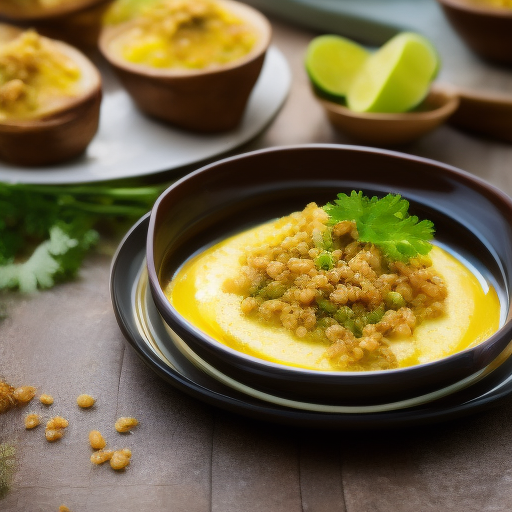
(34, 77)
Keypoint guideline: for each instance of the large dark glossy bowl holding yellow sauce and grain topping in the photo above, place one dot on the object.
(471, 217)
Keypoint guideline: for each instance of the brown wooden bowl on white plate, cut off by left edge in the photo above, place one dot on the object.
(59, 134)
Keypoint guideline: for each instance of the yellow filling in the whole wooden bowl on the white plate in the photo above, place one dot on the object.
(189, 34)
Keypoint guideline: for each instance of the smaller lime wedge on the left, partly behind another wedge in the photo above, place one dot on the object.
(332, 62)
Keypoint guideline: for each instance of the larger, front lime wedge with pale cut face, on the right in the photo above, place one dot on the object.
(397, 77)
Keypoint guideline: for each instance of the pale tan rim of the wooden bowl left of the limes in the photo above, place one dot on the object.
(110, 32)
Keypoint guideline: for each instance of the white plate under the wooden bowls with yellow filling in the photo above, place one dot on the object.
(129, 144)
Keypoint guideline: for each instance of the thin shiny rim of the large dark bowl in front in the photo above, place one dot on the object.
(505, 330)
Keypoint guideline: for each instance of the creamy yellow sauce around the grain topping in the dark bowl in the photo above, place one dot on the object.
(472, 313)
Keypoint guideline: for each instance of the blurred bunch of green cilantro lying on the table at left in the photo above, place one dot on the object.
(46, 231)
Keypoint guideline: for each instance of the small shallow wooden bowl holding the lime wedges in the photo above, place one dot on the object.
(392, 129)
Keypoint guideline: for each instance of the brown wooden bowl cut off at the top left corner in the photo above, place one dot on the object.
(77, 23)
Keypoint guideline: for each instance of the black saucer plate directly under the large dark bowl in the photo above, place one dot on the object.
(180, 372)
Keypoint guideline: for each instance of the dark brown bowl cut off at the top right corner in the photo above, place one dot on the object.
(487, 30)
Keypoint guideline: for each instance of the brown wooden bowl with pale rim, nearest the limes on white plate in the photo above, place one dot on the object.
(208, 100)
